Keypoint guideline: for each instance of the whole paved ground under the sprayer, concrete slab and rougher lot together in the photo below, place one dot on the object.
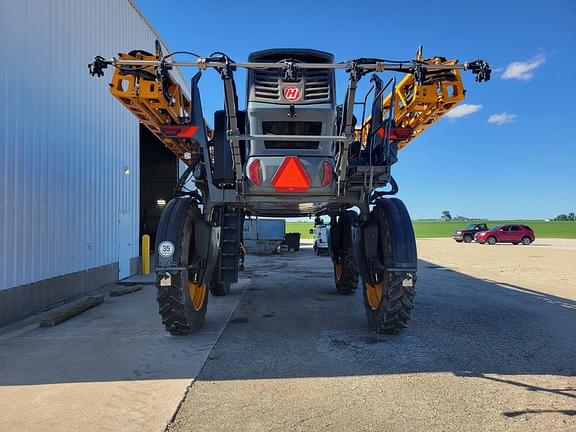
(488, 349)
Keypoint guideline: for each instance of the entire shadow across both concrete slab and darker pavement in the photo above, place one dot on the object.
(291, 323)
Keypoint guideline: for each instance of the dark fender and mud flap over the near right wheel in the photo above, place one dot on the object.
(390, 213)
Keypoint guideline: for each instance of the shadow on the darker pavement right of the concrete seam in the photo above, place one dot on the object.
(295, 325)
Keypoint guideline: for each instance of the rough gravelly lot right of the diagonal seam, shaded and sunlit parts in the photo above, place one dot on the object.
(492, 346)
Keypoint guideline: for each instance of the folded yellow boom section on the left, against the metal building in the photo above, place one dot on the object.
(154, 102)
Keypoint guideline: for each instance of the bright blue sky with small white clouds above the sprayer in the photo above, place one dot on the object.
(519, 165)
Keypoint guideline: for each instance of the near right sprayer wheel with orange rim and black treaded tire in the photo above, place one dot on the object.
(389, 302)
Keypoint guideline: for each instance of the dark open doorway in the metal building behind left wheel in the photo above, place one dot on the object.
(158, 177)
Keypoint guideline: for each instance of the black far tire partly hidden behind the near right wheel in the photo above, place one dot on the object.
(346, 274)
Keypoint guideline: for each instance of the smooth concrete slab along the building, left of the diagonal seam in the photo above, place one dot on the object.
(113, 368)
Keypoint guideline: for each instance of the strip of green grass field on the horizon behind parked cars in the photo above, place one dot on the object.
(435, 228)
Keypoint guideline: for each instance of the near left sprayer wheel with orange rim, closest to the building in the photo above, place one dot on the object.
(182, 302)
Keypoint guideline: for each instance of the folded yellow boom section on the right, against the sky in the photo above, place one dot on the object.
(417, 106)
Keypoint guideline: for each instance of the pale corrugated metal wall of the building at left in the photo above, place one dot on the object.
(66, 143)
